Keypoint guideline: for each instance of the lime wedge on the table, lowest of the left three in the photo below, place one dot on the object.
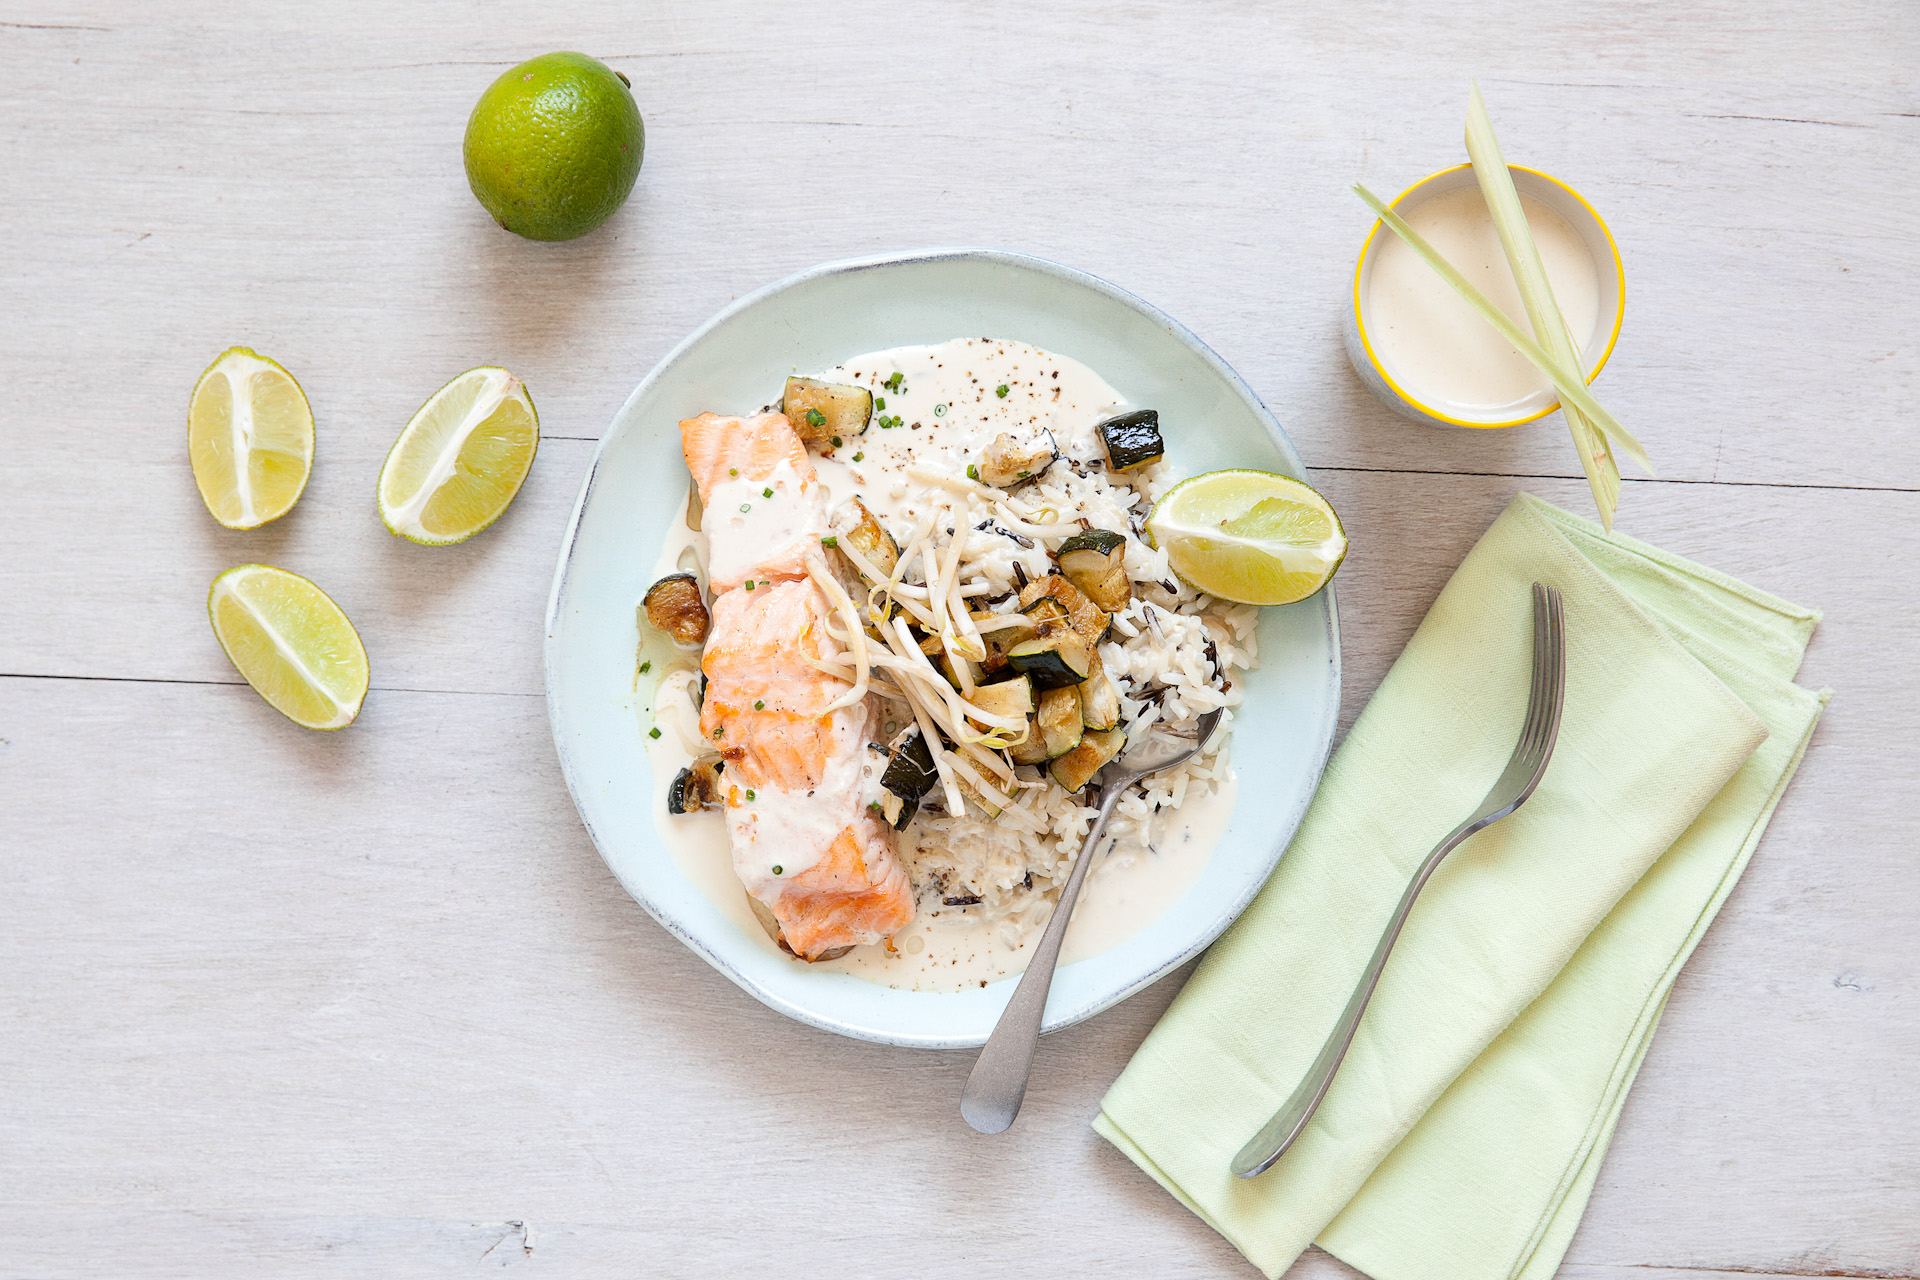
(293, 644)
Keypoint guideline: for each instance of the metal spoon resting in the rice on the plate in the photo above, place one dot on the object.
(999, 1081)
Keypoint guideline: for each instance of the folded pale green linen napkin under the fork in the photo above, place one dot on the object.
(1468, 1124)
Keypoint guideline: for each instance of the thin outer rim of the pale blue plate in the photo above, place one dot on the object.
(852, 266)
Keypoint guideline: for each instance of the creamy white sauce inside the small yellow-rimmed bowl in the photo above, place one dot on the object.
(1439, 348)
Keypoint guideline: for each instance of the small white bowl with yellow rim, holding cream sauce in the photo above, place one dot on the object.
(1424, 406)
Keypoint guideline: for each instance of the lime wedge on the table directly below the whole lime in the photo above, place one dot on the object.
(462, 460)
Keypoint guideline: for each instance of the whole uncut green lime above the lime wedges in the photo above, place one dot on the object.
(554, 147)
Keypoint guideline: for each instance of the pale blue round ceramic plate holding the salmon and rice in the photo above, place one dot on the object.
(736, 364)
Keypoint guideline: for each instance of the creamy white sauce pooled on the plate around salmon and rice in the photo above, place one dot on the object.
(949, 410)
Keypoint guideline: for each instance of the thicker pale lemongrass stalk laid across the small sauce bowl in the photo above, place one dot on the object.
(1537, 291)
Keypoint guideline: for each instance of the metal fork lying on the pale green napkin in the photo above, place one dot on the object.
(1516, 784)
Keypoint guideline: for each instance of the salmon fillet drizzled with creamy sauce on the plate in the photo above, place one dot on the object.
(798, 780)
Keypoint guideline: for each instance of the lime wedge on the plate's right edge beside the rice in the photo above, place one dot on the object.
(1249, 536)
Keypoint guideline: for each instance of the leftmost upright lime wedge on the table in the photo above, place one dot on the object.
(251, 439)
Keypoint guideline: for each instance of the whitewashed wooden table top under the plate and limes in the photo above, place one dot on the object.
(281, 1003)
